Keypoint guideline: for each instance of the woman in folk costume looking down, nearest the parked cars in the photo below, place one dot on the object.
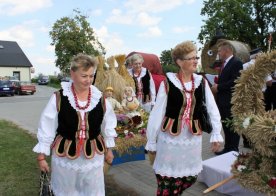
(78, 126)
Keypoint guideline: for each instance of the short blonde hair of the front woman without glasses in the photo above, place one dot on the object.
(83, 61)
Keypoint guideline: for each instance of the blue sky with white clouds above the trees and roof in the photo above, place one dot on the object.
(122, 26)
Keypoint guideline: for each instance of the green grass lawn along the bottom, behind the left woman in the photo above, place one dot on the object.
(19, 173)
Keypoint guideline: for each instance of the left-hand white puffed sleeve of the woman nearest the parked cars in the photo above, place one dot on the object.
(47, 127)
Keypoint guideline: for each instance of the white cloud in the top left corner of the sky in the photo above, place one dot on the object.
(16, 7)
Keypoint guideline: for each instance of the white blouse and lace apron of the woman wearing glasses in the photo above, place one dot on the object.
(178, 156)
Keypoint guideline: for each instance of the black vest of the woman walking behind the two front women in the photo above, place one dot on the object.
(146, 86)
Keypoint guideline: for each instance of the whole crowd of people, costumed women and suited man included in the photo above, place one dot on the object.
(77, 126)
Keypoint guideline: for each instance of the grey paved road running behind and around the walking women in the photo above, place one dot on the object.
(25, 111)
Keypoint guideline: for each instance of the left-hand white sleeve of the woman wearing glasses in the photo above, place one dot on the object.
(155, 118)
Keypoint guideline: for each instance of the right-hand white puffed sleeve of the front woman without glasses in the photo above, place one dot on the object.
(108, 126)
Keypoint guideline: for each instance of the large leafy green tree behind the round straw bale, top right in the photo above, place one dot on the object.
(248, 21)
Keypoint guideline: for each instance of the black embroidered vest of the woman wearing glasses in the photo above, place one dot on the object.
(176, 105)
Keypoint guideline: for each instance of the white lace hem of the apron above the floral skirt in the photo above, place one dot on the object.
(167, 171)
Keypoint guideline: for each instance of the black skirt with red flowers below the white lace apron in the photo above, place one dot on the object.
(168, 186)
